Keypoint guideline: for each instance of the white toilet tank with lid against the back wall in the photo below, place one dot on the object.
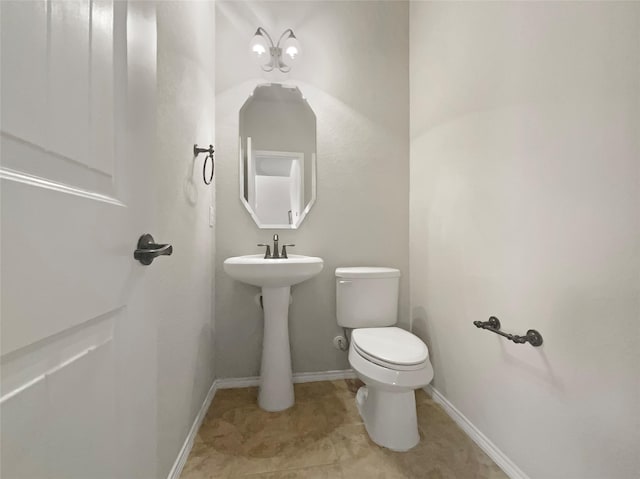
(367, 297)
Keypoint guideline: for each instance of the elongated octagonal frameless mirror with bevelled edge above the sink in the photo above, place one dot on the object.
(277, 156)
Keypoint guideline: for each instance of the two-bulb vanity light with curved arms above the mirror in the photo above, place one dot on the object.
(280, 55)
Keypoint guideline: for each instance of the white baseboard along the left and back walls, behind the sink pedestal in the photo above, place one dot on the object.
(231, 383)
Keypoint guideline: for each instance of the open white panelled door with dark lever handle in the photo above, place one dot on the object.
(78, 346)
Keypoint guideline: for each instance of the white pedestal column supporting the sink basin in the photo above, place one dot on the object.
(276, 378)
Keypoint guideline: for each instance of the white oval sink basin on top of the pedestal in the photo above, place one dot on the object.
(256, 270)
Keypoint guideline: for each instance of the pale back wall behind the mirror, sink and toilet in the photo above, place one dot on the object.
(354, 74)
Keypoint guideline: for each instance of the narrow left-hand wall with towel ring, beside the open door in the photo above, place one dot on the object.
(185, 115)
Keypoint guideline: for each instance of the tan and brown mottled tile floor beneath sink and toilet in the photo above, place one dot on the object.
(322, 437)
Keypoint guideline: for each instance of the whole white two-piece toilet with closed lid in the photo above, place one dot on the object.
(392, 362)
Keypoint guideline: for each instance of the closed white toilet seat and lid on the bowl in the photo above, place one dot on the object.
(390, 347)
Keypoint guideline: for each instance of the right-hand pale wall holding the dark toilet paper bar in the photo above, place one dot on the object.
(525, 204)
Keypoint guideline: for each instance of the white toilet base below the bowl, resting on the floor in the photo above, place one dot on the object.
(389, 417)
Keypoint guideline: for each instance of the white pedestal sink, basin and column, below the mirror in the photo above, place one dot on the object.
(275, 277)
